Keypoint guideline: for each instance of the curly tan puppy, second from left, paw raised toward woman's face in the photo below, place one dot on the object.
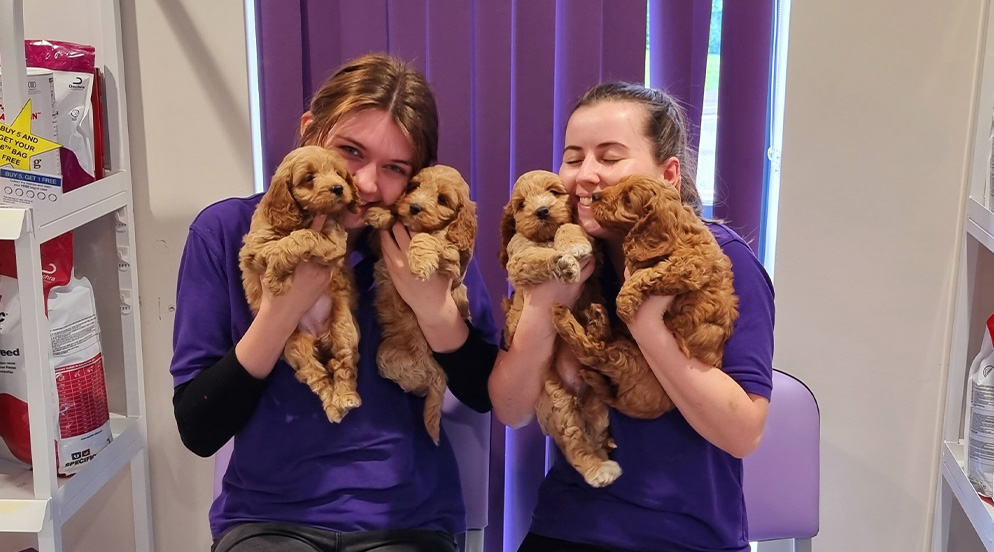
(436, 205)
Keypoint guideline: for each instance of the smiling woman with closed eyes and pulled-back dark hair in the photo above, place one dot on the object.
(681, 483)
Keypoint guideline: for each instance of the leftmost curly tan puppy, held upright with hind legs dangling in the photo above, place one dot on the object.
(324, 349)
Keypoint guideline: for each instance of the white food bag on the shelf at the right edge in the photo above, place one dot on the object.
(980, 422)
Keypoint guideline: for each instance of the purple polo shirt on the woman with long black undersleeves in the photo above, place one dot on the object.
(377, 469)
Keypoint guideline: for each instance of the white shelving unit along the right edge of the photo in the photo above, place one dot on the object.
(974, 303)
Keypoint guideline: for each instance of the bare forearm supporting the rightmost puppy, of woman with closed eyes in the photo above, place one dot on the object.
(713, 403)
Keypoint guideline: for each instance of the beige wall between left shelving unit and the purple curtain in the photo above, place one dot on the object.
(187, 91)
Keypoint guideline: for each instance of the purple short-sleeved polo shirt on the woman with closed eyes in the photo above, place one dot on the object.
(677, 492)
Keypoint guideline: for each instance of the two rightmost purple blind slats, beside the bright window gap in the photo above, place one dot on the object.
(678, 41)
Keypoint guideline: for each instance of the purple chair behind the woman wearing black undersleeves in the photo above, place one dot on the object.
(469, 433)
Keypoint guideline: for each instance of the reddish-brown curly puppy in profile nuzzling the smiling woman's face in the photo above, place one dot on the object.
(670, 251)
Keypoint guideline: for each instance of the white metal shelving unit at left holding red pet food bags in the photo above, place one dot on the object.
(39, 501)
